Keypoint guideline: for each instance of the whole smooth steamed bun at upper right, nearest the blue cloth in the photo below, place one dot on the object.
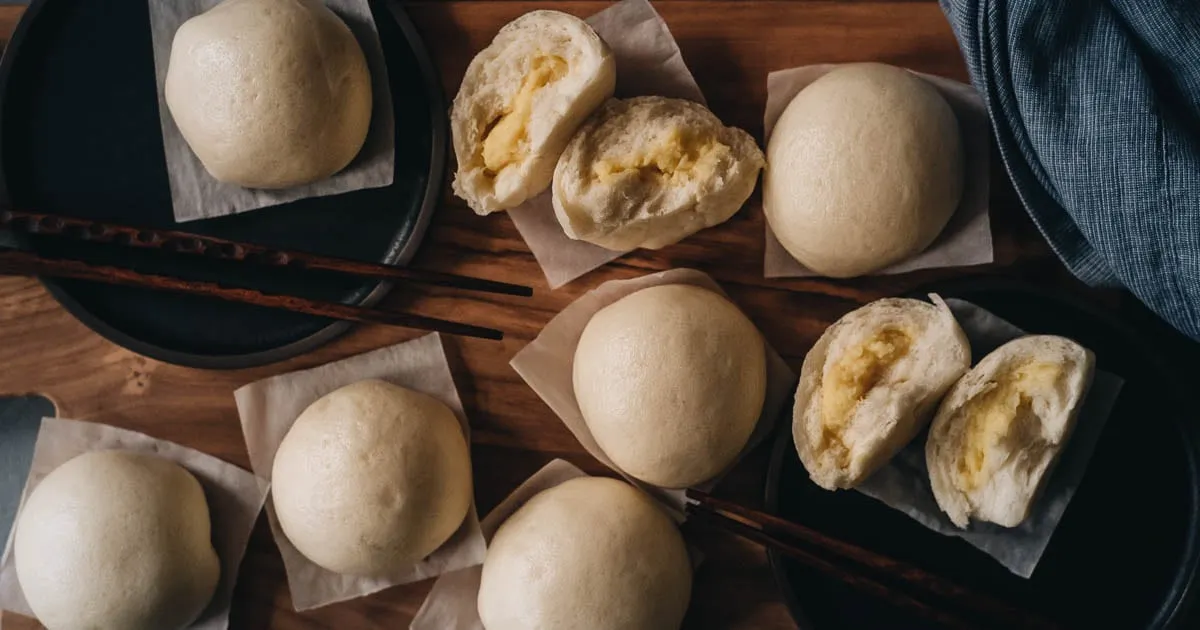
(865, 170)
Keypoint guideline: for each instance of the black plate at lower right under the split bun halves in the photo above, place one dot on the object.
(1124, 556)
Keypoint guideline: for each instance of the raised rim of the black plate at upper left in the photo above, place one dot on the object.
(397, 256)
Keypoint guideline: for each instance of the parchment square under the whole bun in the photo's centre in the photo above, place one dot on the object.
(547, 365)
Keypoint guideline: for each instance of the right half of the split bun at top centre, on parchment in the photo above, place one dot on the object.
(649, 172)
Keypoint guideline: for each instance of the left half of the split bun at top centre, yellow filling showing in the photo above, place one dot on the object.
(520, 103)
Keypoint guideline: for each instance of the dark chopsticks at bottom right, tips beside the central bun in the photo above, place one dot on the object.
(865, 571)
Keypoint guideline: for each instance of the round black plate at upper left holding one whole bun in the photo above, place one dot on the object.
(80, 136)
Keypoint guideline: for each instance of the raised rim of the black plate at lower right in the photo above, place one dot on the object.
(1184, 589)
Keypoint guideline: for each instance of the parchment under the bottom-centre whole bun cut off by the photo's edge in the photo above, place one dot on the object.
(452, 603)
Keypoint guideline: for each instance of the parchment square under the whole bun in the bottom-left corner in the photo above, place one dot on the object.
(235, 497)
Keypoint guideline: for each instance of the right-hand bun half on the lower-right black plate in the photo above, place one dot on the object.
(1000, 430)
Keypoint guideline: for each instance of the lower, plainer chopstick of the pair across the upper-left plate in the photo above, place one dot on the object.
(14, 262)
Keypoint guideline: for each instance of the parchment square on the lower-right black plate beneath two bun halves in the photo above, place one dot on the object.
(904, 483)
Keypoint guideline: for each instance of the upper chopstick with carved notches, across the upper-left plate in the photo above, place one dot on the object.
(26, 223)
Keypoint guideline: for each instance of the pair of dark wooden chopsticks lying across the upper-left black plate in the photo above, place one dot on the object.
(25, 263)
